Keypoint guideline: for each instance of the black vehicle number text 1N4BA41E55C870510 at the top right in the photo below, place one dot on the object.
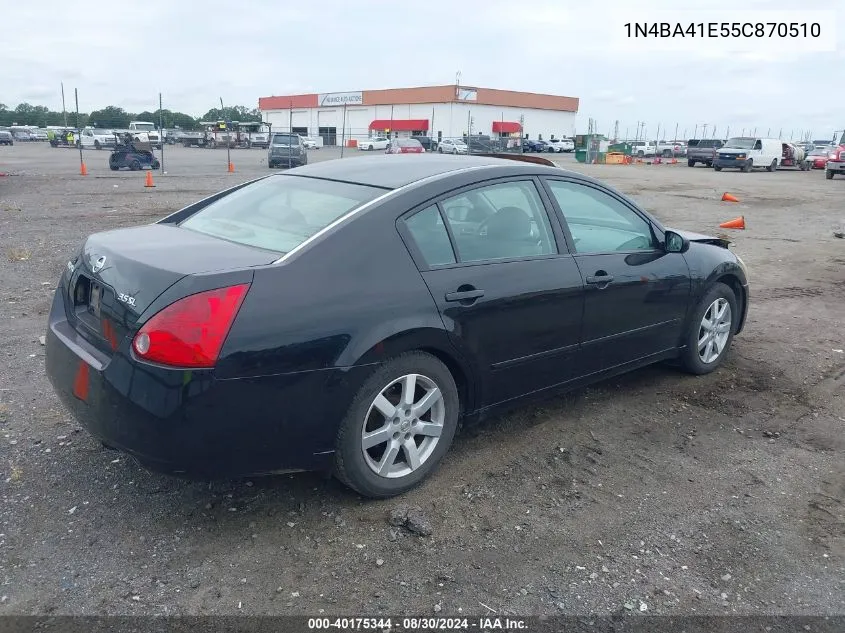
(723, 30)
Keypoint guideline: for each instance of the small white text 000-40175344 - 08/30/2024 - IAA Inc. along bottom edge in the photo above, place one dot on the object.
(418, 624)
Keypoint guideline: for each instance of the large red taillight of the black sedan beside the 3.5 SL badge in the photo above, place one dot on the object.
(191, 331)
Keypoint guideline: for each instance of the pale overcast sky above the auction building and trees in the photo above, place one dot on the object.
(193, 53)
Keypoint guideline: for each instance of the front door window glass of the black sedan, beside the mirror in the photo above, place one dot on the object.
(598, 222)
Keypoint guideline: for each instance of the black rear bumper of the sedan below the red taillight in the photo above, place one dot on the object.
(190, 423)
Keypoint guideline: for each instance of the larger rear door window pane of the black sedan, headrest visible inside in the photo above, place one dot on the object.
(501, 221)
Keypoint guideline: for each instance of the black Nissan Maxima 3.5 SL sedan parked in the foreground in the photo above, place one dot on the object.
(344, 315)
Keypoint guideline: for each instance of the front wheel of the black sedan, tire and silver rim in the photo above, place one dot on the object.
(711, 330)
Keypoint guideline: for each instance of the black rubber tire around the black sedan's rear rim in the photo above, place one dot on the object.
(350, 465)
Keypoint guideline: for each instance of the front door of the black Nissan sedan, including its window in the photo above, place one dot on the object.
(636, 293)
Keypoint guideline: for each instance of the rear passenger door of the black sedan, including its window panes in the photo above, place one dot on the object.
(508, 291)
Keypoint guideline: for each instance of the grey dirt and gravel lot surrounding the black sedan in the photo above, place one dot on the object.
(657, 491)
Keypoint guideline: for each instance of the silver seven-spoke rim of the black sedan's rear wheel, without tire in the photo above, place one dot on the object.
(403, 426)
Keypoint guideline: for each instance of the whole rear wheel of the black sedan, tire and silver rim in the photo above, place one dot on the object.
(399, 426)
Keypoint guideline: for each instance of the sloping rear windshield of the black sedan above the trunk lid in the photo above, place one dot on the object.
(280, 212)
